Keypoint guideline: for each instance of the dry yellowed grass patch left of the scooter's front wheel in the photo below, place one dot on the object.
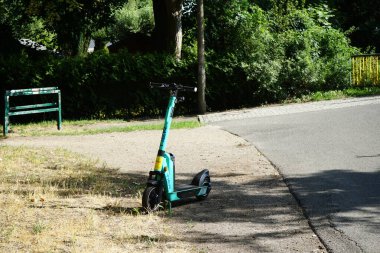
(57, 201)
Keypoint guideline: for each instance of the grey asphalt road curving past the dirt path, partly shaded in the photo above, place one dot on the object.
(330, 160)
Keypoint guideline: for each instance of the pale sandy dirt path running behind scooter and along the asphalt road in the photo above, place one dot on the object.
(249, 208)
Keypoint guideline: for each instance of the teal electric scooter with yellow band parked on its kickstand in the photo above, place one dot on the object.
(161, 186)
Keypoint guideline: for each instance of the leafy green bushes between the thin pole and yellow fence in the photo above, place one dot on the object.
(266, 56)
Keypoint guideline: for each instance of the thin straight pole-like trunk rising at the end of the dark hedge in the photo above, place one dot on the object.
(201, 59)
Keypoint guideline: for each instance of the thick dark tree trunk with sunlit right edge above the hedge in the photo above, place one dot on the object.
(167, 33)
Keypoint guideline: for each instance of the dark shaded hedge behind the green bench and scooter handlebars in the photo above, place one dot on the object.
(102, 85)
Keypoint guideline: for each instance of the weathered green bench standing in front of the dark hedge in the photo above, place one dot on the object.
(34, 108)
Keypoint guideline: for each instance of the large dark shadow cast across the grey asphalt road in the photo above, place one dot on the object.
(340, 192)
